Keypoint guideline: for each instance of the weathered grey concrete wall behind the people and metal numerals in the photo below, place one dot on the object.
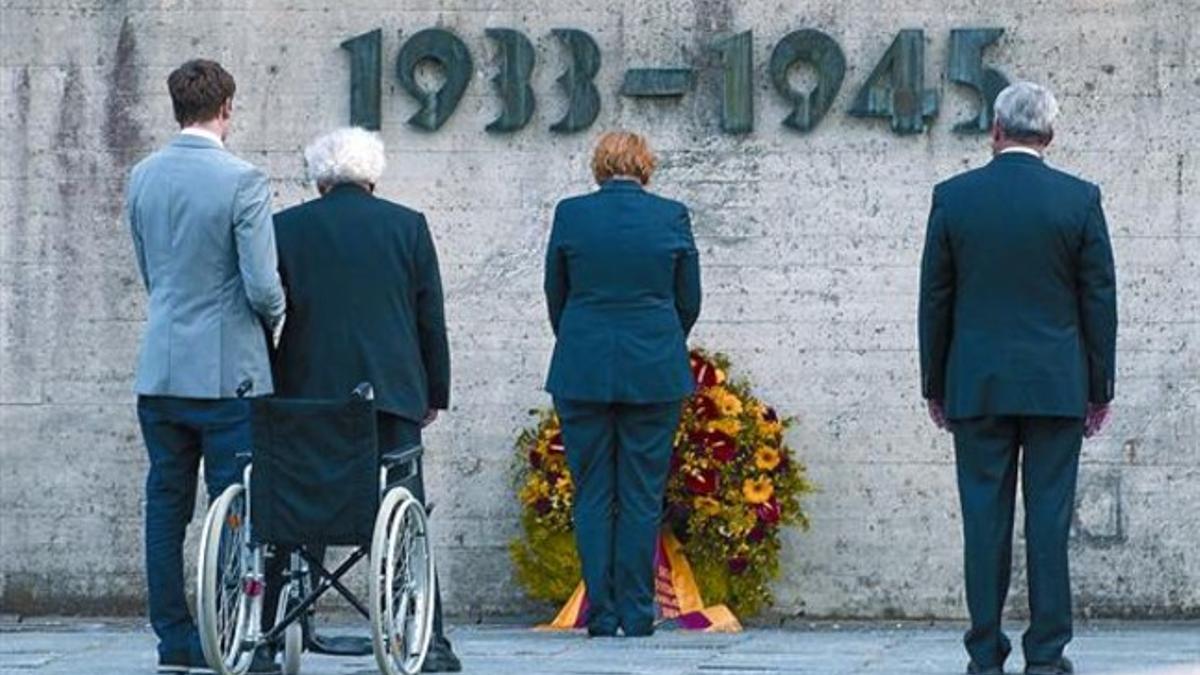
(811, 246)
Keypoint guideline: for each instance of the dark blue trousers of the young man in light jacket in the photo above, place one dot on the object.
(178, 434)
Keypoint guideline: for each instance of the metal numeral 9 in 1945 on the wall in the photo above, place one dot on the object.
(824, 53)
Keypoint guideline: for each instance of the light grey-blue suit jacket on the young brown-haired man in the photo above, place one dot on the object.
(206, 246)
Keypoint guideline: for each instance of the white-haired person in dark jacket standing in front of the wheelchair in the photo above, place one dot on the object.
(365, 301)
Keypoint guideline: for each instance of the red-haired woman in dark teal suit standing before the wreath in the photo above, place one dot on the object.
(623, 292)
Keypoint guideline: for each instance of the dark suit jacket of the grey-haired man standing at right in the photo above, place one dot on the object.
(1018, 294)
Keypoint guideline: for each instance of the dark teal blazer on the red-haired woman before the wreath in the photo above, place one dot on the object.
(623, 292)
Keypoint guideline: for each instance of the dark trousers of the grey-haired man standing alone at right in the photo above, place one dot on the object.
(988, 451)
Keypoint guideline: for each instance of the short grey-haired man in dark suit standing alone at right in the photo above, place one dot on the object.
(1018, 333)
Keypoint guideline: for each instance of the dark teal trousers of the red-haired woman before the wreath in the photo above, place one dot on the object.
(620, 456)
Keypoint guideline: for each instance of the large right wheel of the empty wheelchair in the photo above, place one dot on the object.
(403, 586)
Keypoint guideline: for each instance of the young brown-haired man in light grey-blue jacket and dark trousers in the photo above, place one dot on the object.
(206, 247)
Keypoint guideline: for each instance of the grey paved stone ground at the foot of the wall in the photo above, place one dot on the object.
(95, 648)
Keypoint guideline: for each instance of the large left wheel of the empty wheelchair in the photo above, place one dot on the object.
(230, 593)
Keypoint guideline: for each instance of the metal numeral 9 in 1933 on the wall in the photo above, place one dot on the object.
(449, 52)
